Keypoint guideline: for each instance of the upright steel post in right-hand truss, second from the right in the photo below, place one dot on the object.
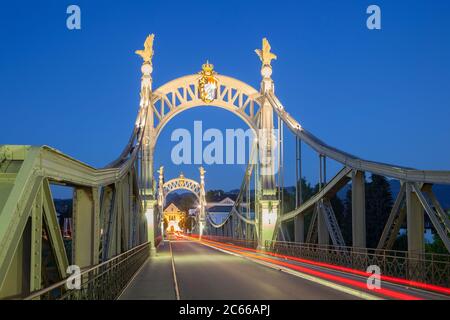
(358, 210)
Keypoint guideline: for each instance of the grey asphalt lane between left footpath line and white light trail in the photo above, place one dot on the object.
(206, 273)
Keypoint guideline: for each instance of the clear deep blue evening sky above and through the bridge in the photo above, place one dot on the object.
(382, 95)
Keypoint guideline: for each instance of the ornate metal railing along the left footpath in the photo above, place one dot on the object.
(104, 281)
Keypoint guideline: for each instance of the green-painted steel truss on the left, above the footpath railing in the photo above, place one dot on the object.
(107, 214)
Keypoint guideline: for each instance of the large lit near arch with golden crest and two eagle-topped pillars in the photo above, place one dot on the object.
(206, 89)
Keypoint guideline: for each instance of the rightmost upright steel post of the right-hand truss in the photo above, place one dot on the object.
(415, 223)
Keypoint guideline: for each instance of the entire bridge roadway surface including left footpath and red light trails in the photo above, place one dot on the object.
(211, 270)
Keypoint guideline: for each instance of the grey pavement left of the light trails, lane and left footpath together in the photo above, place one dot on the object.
(205, 273)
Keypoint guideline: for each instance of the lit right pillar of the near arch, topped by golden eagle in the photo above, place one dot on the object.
(268, 203)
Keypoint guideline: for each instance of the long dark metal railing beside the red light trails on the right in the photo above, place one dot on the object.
(428, 268)
